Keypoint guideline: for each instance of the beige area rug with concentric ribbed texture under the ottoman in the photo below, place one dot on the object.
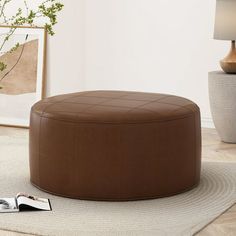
(183, 214)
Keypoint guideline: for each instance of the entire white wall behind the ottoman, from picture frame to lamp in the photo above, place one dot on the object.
(161, 46)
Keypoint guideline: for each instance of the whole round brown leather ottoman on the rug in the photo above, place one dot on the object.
(113, 145)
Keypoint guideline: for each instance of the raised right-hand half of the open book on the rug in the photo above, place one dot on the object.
(25, 200)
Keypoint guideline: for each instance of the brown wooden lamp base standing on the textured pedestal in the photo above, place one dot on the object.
(228, 64)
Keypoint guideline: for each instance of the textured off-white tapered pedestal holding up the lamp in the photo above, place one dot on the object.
(222, 94)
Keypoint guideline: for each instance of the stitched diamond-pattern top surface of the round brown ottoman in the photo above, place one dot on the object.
(114, 106)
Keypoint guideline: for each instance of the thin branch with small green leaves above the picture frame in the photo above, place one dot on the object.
(46, 11)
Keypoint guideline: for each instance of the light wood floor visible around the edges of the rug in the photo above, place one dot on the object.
(213, 150)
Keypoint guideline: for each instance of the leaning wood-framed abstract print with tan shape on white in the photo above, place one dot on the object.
(22, 82)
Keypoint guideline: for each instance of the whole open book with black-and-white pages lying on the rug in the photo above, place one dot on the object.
(24, 202)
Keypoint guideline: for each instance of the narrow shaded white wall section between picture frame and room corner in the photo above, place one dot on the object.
(66, 50)
